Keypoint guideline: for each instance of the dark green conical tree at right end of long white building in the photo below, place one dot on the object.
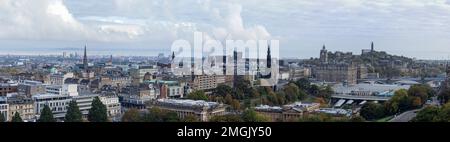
(98, 111)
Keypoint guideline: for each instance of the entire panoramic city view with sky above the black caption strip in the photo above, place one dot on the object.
(62, 61)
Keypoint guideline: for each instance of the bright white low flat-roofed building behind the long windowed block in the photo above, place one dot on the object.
(66, 89)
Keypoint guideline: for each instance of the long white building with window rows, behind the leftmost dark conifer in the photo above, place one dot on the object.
(58, 104)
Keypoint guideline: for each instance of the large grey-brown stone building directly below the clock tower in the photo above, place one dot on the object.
(337, 73)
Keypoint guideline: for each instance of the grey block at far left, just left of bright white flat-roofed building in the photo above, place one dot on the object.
(30, 88)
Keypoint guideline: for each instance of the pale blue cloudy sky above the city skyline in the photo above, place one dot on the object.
(413, 28)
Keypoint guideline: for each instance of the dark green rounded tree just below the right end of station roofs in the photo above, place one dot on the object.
(371, 111)
